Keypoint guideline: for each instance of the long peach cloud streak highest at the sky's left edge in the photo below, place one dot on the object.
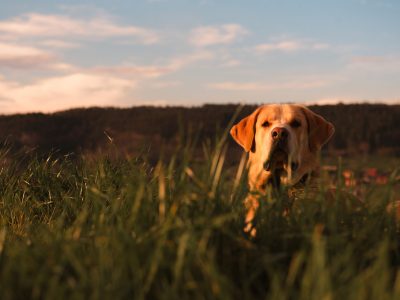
(40, 25)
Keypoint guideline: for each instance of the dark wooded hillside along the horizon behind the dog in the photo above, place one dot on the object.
(359, 128)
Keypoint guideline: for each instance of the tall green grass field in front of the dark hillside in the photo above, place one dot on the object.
(115, 228)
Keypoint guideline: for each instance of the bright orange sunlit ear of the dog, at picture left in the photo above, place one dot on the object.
(244, 131)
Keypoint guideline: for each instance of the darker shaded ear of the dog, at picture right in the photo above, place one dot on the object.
(319, 130)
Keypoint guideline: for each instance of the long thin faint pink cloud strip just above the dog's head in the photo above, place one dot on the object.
(259, 86)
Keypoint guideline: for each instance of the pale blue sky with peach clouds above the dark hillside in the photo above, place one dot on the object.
(57, 55)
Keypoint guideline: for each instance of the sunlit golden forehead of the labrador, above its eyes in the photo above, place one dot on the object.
(279, 112)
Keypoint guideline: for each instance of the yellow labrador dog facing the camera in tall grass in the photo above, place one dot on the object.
(283, 142)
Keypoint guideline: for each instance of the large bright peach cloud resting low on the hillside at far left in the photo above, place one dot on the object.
(62, 92)
